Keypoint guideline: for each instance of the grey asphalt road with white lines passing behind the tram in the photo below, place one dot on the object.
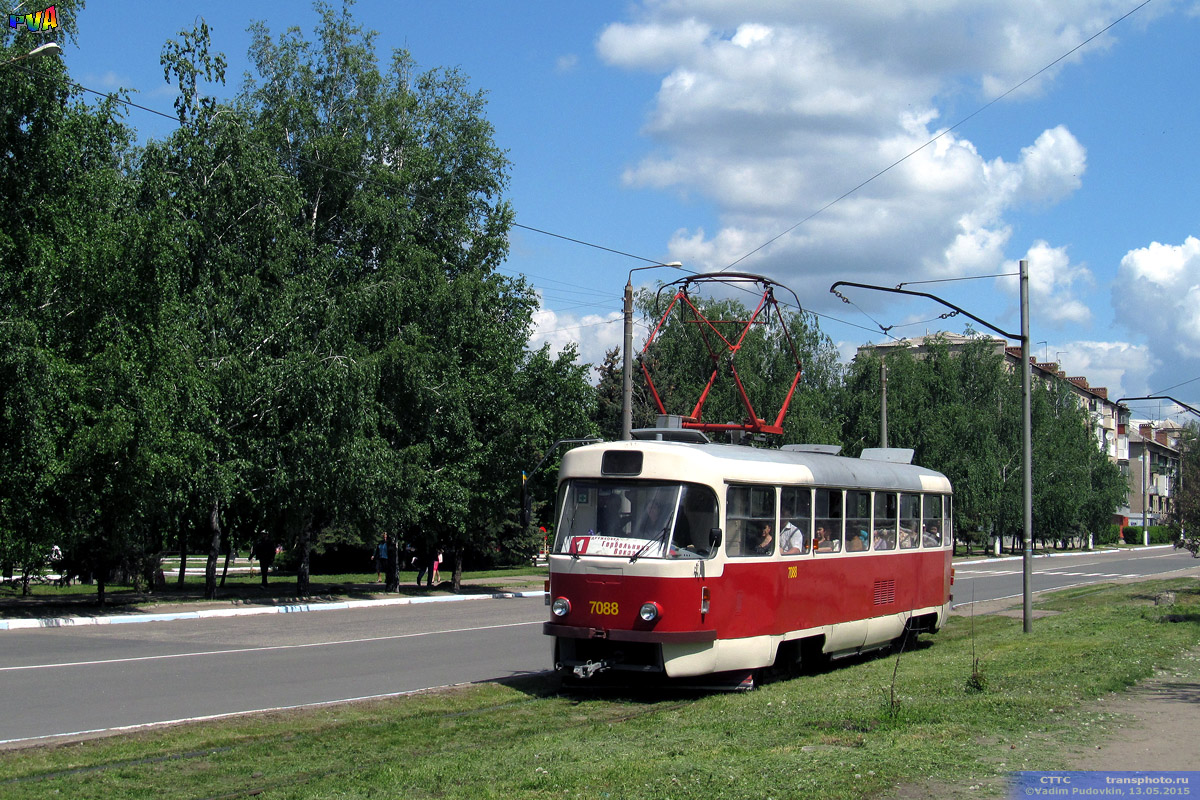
(76, 681)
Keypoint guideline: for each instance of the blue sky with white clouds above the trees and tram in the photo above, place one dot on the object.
(698, 130)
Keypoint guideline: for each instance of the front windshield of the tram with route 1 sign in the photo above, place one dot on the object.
(635, 520)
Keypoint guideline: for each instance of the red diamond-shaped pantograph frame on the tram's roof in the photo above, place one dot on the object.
(707, 328)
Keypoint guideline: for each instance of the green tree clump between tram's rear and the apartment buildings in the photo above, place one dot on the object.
(949, 398)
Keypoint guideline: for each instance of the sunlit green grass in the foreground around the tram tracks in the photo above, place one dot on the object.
(838, 735)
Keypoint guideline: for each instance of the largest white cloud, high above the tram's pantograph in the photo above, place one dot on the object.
(772, 110)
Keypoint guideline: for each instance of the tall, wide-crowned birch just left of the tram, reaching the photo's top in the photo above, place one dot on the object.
(406, 347)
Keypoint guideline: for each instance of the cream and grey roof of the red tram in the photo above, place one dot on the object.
(743, 464)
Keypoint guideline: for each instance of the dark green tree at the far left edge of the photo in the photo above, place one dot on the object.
(82, 399)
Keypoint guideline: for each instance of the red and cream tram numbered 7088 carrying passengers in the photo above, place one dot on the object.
(683, 558)
